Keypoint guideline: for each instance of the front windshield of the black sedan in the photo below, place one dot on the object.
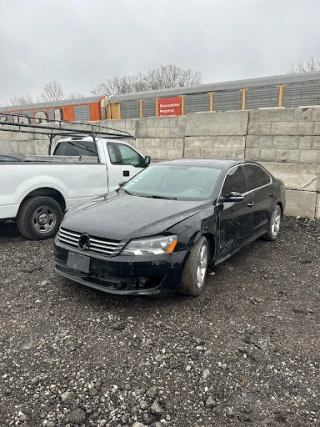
(181, 182)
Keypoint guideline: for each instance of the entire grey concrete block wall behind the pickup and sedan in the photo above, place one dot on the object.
(285, 141)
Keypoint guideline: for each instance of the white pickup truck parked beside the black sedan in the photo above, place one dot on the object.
(36, 193)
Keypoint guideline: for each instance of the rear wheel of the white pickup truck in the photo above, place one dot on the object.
(39, 218)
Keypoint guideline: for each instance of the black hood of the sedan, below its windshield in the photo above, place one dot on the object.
(120, 216)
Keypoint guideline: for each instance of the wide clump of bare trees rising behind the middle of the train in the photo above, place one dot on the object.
(164, 77)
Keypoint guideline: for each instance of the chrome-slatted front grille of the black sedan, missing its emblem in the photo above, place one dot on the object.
(96, 244)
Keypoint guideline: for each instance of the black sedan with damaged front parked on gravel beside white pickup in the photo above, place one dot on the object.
(158, 233)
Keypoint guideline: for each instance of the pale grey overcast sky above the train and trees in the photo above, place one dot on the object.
(81, 43)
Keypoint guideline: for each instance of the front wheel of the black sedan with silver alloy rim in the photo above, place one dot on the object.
(193, 279)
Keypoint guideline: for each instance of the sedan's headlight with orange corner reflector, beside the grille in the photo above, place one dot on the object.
(151, 246)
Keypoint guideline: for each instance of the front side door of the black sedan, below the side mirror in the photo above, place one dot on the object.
(234, 218)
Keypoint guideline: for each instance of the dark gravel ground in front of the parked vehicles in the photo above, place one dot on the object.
(247, 352)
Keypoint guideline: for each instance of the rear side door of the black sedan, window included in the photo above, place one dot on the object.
(261, 187)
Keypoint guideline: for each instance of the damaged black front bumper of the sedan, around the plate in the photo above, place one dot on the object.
(123, 275)
